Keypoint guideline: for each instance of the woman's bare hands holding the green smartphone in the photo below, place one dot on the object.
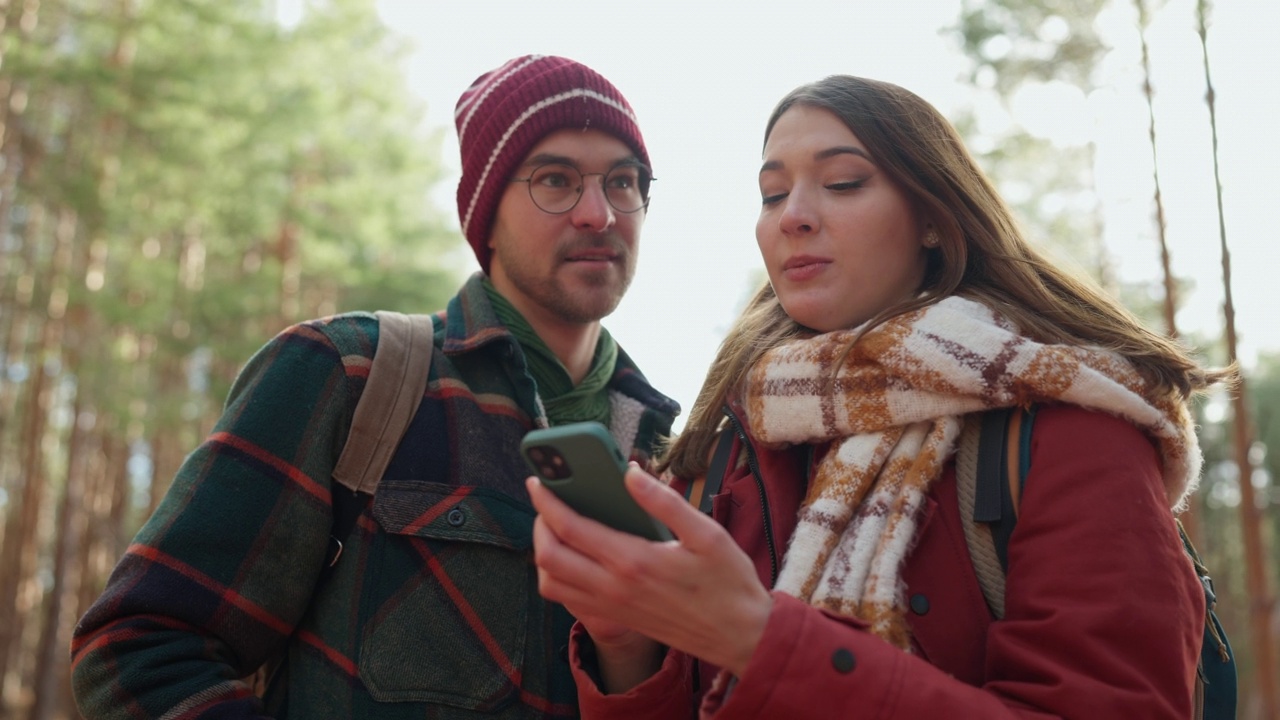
(700, 594)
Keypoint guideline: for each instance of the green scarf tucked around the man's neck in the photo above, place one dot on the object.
(561, 399)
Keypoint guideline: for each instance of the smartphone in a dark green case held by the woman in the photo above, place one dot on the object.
(584, 468)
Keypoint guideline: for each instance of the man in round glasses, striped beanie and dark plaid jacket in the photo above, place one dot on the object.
(433, 608)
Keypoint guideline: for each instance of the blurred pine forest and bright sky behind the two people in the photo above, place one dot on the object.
(180, 180)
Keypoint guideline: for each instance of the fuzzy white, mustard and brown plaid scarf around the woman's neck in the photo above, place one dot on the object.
(894, 413)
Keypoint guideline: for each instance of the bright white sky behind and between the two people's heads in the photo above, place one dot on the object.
(703, 79)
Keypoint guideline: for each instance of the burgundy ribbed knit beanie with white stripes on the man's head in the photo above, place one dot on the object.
(509, 111)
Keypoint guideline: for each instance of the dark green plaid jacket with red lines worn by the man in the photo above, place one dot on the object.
(433, 610)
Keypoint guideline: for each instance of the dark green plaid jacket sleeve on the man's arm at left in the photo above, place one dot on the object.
(221, 575)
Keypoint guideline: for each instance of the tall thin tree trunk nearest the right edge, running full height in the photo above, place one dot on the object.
(1255, 549)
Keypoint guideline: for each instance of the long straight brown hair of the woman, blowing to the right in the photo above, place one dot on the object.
(981, 256)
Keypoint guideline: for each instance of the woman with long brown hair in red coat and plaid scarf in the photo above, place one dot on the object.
(902, 298)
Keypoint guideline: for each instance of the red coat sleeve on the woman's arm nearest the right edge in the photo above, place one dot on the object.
(1104, 613)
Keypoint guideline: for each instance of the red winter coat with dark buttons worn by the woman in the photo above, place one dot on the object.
(1104, 612)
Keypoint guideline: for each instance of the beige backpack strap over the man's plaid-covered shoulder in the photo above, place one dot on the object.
(397, 380)
